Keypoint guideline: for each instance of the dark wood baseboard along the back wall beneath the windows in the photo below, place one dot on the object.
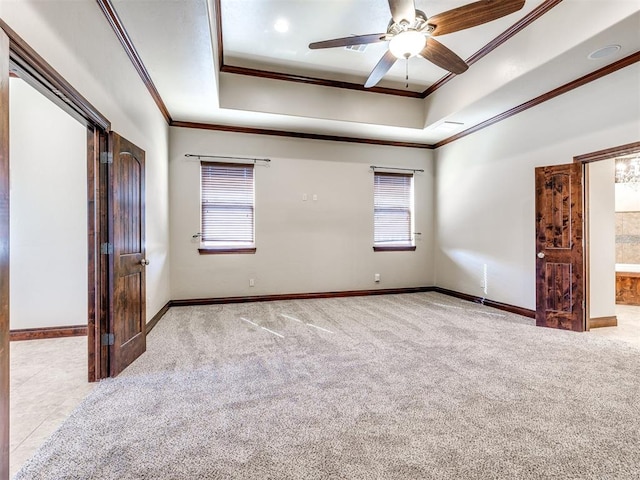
(296, 296)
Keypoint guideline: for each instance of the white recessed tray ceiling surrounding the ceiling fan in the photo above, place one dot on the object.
(177, 41)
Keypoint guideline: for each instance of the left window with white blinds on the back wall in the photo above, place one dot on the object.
(227, 193)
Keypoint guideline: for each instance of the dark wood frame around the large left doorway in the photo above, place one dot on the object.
(17, 57)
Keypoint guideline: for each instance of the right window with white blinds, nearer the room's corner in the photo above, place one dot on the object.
(393, 211)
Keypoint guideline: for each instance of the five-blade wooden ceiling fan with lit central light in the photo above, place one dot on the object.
(410, 33)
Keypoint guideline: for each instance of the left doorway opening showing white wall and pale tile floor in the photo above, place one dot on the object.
(48, 261)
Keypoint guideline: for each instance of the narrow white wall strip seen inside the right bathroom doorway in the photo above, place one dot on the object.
(602, 238)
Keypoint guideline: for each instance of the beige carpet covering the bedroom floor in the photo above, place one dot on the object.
(417, 386)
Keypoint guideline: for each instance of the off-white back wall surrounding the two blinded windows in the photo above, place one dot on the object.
(312, 246)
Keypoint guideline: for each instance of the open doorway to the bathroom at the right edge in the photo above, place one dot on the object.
(613, 233)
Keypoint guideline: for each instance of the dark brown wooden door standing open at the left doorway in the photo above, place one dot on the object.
(127, 214)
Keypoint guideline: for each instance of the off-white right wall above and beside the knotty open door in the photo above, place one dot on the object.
(485, 183)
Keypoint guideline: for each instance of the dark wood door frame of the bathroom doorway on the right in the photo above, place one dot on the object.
(584, 159)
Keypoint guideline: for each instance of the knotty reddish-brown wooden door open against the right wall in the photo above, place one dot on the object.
(559, 254)
